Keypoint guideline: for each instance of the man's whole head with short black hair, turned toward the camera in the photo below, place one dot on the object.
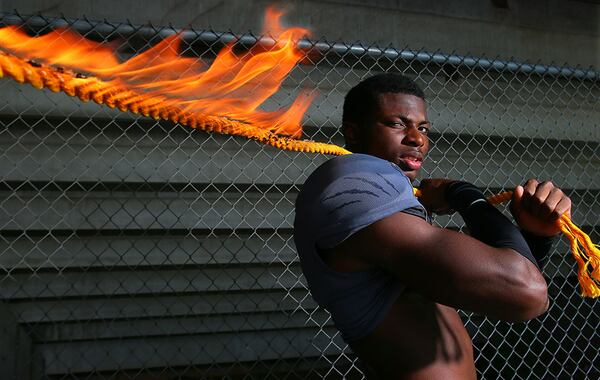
(385, 116)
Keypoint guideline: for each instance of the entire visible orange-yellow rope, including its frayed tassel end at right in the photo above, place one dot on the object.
(585, 252)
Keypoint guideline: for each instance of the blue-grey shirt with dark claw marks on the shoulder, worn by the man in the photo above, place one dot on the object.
(343, 196)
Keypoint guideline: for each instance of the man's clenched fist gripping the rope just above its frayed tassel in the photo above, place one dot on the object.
(537, 206)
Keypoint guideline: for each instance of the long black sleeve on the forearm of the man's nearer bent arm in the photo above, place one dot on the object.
(484, 221)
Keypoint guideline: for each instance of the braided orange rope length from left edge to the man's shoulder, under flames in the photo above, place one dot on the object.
(90, 88)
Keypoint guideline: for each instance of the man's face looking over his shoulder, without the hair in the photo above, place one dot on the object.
(397, 131)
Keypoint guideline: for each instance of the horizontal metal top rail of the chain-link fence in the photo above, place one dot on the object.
(106, 29)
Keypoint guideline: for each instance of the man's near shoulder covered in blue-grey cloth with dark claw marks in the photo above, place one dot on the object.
(346, 194)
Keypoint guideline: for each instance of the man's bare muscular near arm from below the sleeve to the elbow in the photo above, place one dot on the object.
(451, 268)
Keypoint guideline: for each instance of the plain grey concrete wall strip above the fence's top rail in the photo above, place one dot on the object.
(558, 31)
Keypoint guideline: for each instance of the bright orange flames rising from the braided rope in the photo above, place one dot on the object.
(234, 86)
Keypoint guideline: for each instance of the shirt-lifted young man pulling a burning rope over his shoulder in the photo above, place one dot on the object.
(391, 281)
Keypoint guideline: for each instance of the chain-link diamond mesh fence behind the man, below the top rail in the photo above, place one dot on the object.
(135, 248)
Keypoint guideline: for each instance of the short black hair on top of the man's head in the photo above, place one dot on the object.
(363, 97)
